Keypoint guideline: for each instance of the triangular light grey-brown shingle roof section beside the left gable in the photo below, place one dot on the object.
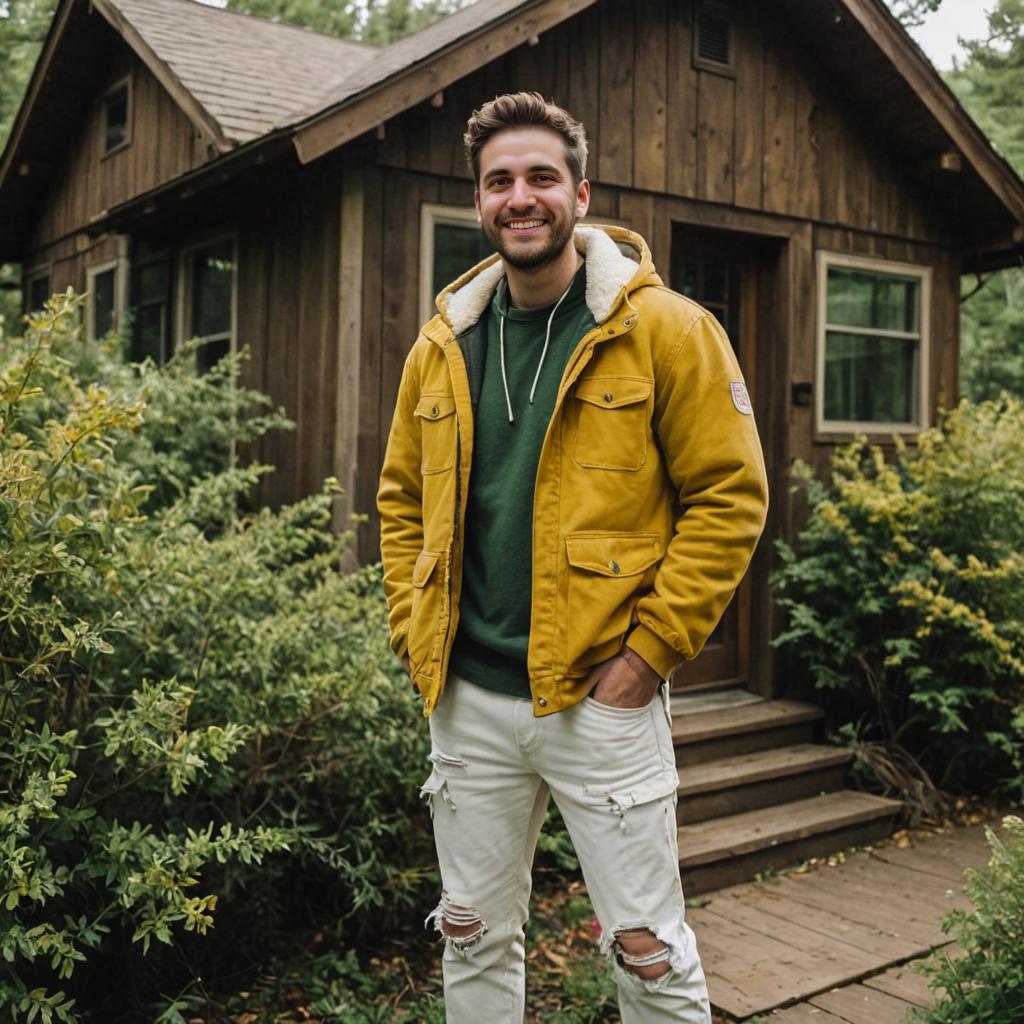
(249, 74)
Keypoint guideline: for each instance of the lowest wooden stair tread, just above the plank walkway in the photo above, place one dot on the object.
(739, 834)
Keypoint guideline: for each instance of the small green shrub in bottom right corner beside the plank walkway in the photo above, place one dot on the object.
(986, 986)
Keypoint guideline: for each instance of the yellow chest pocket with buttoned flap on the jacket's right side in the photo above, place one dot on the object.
(613, 422)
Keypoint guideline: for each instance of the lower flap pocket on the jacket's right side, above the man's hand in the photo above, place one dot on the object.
(608, 575)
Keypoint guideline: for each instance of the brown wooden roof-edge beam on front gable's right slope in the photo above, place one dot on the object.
(941, 102)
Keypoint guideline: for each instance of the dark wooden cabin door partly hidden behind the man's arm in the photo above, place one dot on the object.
(722, 276)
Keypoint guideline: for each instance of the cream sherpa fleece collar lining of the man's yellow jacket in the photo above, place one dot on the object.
(609, 272)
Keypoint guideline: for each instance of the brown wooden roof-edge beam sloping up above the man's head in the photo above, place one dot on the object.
(387, 100)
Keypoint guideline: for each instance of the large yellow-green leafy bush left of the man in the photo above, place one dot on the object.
(201, 720)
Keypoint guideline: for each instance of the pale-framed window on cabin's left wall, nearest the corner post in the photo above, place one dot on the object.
(208, 300)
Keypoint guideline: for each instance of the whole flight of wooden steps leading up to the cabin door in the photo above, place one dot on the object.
(756, 794)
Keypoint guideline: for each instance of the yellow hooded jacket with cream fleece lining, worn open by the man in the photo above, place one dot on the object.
(651, 491)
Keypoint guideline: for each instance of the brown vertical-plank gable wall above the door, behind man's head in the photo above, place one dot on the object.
(777, 139)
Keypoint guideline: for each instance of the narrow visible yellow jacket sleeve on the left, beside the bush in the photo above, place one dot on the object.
(400, 502)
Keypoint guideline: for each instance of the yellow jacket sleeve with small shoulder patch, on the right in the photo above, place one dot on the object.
(714, 459)
